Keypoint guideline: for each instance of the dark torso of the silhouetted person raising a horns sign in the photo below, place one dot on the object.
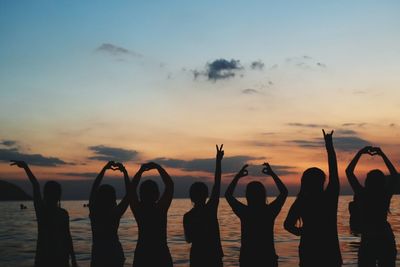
(319, 243)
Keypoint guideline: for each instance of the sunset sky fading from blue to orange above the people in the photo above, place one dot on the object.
(82, 82)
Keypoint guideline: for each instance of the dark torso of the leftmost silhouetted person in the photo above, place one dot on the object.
(52, 248)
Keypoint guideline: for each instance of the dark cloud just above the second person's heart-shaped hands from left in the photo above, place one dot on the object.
(106, 153)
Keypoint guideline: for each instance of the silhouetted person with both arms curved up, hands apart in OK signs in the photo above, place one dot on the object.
(257, 219)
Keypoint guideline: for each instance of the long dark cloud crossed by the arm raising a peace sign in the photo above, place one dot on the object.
(230, 164)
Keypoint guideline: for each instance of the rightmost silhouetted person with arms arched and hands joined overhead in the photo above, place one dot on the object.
(378, 246)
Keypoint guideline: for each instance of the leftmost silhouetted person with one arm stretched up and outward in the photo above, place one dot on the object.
(54, 243)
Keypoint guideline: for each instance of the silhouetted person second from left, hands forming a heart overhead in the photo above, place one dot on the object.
(105, 216)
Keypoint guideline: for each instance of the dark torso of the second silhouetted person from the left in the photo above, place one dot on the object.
(106, 248)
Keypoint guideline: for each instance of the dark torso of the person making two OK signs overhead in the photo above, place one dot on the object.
(257, 228)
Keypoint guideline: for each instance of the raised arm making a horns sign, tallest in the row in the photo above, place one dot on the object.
(333, 184)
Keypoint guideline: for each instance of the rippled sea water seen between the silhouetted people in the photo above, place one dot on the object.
(18, 233)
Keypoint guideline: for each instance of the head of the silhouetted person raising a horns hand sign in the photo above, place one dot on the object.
(312, 182)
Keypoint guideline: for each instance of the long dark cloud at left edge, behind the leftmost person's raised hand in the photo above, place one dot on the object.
(8, 154)
